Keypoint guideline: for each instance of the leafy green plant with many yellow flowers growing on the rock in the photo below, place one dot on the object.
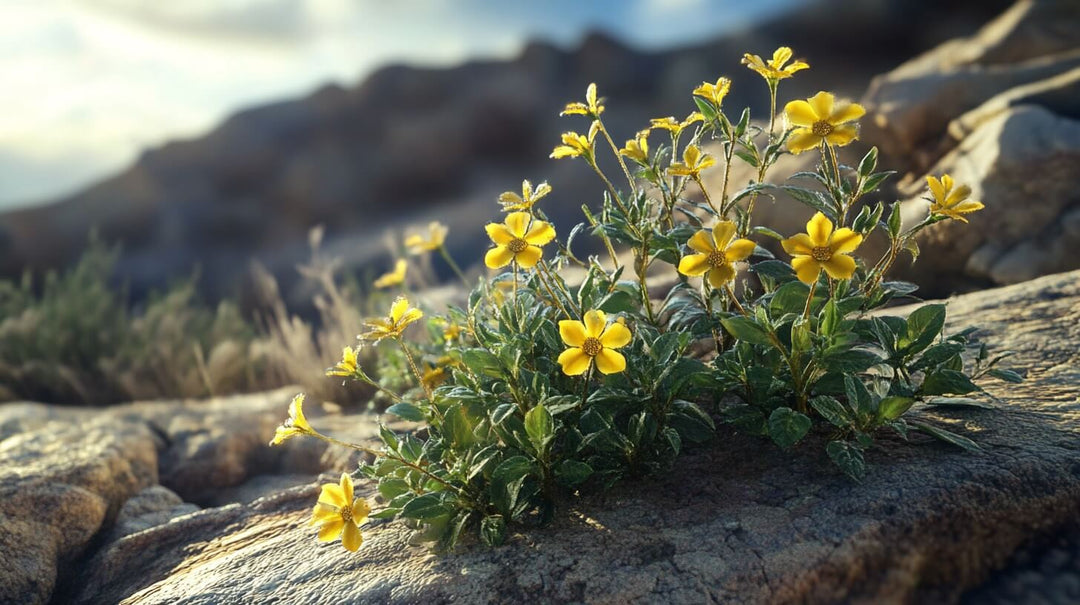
(547, 388)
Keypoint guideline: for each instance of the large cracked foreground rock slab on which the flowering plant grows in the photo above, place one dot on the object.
(735, 522)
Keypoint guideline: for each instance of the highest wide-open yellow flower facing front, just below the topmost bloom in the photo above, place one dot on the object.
(820, 122)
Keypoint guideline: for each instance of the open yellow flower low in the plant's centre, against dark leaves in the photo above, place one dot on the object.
(593, 341)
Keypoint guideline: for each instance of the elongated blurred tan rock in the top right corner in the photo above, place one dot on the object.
(912, 106)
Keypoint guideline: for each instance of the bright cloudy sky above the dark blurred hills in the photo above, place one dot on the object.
(88, 85)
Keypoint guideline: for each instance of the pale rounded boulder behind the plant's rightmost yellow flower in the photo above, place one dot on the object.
(1021, 165)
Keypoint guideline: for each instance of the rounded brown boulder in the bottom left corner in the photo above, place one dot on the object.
(61, 483)
